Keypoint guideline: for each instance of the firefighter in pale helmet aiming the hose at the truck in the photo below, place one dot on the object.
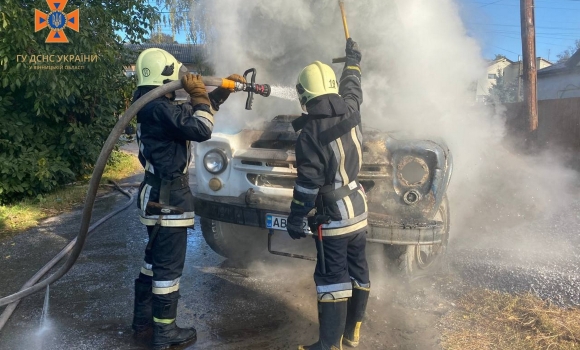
(164, 133)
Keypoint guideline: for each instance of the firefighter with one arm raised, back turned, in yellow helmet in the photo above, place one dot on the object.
(328, 158)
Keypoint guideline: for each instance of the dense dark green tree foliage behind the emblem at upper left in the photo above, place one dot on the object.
(53, 122)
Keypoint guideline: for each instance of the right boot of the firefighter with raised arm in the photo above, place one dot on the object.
(357, 305)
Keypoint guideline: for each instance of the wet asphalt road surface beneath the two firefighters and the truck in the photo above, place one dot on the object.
(270, 303)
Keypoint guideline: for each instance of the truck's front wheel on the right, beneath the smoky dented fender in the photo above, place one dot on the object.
(419, 260)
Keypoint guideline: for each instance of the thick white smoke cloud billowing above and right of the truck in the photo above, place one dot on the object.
(419, 66)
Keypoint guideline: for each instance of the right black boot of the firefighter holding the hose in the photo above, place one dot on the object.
(165, 331)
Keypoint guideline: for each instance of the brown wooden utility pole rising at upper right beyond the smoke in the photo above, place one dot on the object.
(530, 76)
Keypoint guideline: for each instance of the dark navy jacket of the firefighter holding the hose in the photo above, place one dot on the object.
(164, 134)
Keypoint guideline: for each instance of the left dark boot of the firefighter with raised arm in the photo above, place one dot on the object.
(332, 318)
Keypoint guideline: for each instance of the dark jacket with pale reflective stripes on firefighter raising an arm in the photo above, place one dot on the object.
(329, 158)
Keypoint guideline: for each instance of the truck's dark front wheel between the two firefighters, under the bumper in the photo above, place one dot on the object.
(233, 241)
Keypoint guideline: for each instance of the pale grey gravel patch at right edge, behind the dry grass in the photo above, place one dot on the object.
(541, 256)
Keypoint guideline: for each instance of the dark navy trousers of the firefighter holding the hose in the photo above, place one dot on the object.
(162, 269)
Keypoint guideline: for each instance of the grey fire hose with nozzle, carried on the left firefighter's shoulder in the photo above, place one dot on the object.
(29, 288)
